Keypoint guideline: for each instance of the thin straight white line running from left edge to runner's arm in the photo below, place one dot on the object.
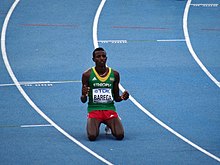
(42, 82)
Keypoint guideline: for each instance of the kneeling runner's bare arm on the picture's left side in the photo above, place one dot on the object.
(85, 86)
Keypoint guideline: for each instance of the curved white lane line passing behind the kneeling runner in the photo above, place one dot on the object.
(145, 110)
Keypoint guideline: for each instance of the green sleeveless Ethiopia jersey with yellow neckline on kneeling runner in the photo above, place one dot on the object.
(101, 91)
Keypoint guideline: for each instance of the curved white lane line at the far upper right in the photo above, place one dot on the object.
(189, 45)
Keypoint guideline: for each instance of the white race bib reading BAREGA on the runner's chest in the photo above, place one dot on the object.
(102, 95)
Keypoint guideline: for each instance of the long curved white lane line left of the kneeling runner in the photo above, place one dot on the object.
(34, 106)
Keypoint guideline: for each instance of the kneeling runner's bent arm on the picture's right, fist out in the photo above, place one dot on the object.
(117, 97)
